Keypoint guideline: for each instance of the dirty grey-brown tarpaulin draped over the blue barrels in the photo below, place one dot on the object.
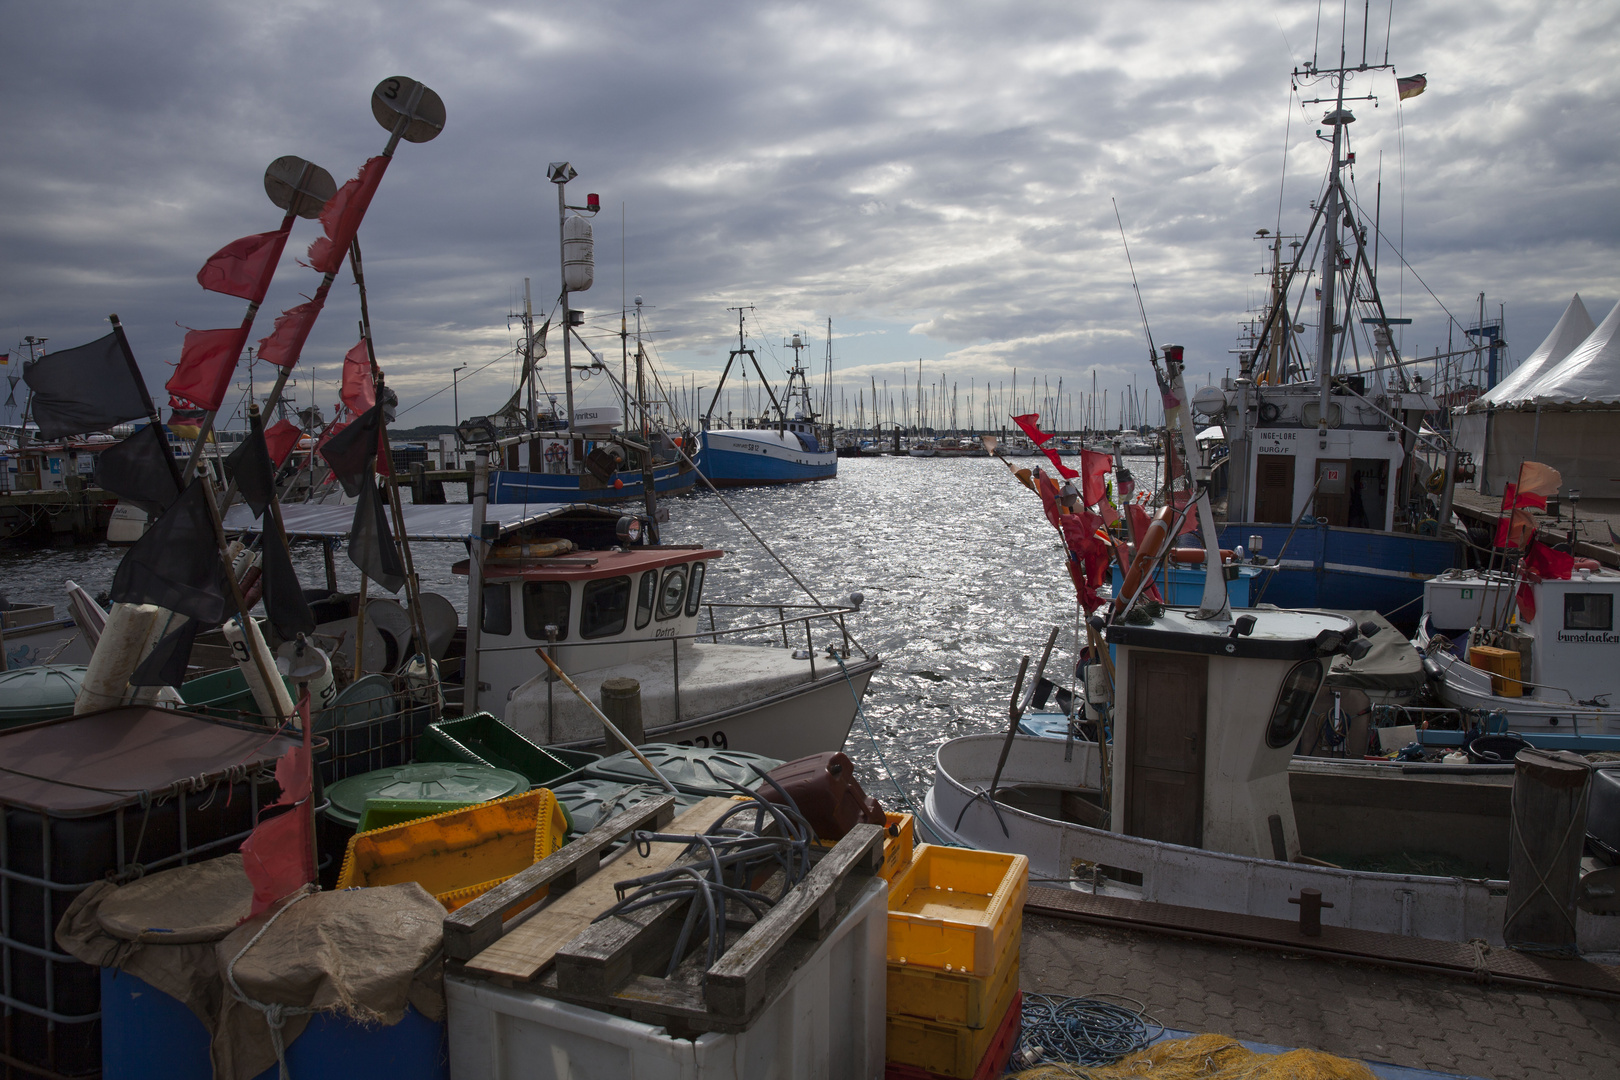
(362, 953)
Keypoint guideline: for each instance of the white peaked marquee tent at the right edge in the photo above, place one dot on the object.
(1566, 412)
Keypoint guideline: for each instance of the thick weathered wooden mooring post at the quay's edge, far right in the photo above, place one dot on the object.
(1545, 849)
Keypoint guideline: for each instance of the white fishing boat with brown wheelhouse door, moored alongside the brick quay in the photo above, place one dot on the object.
(1192, 794)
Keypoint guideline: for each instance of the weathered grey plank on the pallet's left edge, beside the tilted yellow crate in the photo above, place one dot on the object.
(474, 929)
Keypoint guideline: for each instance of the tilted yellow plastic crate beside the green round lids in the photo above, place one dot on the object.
(463, 854)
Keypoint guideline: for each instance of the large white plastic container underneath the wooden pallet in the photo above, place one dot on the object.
(827, 1023)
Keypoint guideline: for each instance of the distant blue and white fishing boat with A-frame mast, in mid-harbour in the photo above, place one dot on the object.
(785, 446)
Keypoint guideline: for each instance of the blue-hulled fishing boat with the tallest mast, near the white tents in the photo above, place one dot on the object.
(1328, 472)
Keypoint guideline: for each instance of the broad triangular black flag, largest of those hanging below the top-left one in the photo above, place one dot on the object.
(177, 564)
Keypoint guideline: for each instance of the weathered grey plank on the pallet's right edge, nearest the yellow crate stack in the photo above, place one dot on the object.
(738, 984)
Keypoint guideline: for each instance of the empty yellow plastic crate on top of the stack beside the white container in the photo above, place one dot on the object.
(957, 909)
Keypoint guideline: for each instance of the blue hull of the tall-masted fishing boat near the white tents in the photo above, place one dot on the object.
(1345, 569)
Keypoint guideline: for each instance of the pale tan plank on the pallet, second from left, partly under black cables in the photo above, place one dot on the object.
(527, 950)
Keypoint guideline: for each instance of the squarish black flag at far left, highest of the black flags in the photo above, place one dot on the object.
(87, 389)
